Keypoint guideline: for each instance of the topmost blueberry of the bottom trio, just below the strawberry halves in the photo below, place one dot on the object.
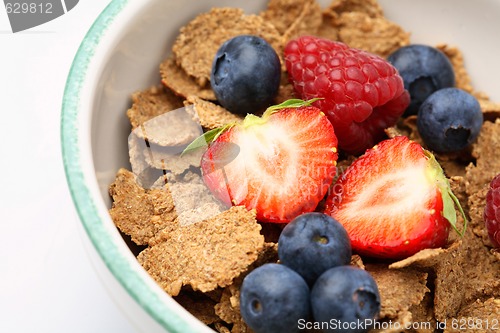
(312, 243)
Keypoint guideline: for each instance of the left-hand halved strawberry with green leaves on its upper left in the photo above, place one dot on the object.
(280, 164)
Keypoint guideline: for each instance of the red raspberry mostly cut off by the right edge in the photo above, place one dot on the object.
(492, 211)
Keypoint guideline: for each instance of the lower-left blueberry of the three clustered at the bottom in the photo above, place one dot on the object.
(273, 298)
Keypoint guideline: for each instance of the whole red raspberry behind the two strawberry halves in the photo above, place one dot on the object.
(361, 93)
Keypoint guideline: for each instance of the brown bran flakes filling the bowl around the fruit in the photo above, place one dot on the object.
(199, 252)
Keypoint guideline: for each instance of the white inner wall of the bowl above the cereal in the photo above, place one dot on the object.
(136, 44)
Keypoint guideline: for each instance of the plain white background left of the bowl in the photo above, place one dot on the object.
(47, 282)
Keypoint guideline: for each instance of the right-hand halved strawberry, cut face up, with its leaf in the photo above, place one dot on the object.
(394, 201)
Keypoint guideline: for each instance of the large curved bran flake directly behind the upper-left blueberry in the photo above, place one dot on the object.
(199, 40)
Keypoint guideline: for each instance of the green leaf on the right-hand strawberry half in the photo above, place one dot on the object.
(449, 199)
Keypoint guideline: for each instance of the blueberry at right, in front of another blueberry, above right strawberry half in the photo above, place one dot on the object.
(449, 120)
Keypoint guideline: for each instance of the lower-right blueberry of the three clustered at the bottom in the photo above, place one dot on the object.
(347, 298)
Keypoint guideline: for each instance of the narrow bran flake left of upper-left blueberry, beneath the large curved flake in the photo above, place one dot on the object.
(176, 79)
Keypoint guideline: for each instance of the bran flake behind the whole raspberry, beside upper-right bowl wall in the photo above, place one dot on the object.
(376, 35)
